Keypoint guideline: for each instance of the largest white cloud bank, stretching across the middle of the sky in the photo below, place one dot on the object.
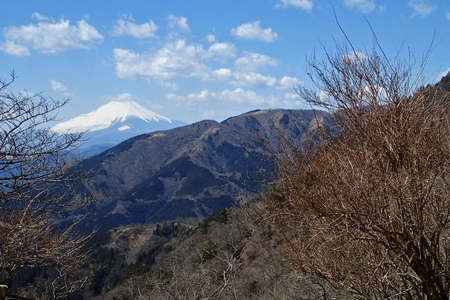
(180, 60)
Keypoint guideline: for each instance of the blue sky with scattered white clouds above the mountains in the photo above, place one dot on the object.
(200, 59)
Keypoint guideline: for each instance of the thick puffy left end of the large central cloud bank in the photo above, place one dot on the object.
(175, 60)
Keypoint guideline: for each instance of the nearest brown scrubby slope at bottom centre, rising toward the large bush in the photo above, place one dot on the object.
(234, 254)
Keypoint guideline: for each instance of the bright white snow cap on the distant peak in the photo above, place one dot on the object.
(106, 115)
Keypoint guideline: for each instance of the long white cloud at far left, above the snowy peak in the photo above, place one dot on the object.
(49, 37)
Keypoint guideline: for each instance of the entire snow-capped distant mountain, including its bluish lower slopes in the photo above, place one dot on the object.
(113, 123)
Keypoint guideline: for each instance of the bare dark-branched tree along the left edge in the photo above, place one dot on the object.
(32, 161)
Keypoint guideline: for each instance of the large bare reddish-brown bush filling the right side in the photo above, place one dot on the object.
(369, 211)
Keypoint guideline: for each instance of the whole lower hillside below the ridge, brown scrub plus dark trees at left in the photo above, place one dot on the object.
(234, 254)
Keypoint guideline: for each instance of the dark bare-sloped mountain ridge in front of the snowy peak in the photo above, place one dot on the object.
(190, 171)
